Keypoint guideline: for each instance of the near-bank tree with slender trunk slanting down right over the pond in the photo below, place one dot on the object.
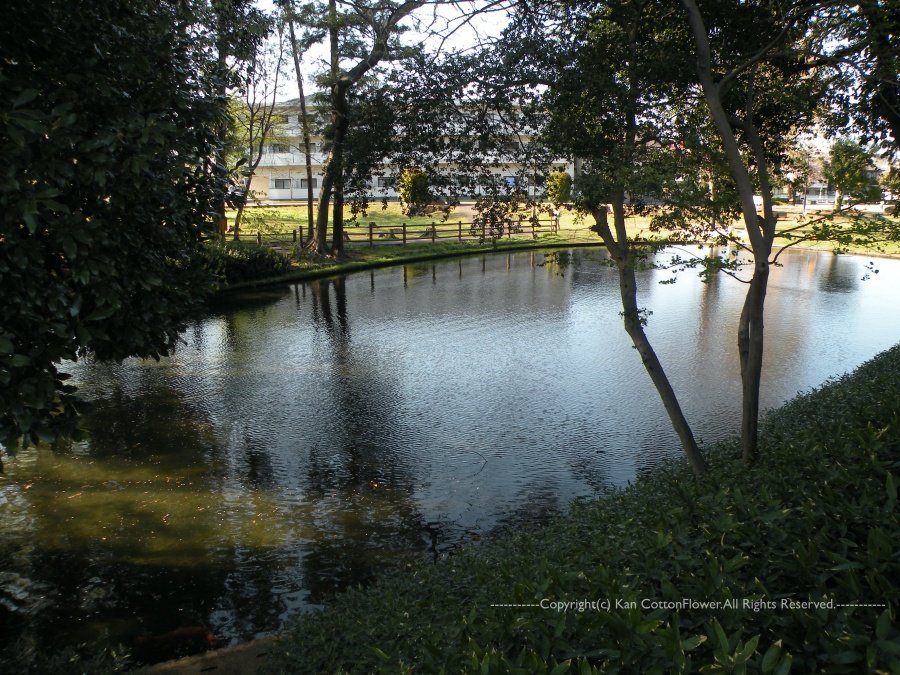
(608, 70)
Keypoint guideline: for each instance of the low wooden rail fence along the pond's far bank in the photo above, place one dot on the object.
(372, 234)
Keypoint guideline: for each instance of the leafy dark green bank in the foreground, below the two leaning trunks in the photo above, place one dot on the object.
(798, 550)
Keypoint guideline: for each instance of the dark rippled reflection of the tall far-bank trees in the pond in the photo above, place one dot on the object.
(361, 486)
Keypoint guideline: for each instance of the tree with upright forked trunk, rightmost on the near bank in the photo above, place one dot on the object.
(756, 94)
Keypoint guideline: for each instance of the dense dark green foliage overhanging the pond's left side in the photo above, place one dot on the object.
(104, 188)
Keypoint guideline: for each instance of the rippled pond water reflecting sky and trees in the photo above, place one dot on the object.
(306, 437)
